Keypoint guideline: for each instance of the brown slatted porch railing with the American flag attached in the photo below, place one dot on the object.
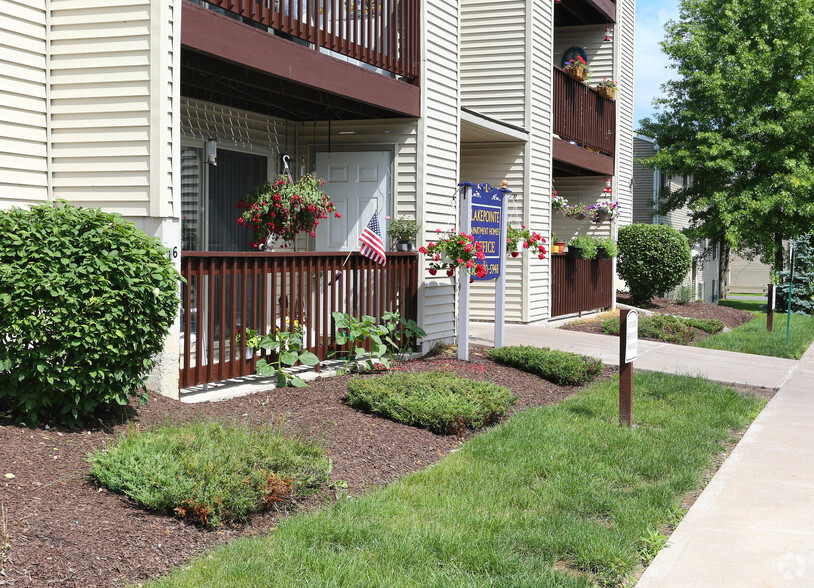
(226, 293)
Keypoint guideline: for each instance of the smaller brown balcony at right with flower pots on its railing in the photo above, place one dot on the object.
(585, 124)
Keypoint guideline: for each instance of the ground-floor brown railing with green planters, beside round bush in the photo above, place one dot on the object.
(579, 285)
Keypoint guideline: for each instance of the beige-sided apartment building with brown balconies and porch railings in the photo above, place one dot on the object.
(123, 105)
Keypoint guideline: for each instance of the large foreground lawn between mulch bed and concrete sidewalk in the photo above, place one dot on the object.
(556, 496)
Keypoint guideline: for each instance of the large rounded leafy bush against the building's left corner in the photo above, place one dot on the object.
(86, 300)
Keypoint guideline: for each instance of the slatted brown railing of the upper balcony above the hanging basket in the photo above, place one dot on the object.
(381, 33)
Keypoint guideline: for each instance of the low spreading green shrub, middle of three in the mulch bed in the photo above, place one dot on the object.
(441, 402)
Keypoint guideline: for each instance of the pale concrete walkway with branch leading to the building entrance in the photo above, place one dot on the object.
(753, 525)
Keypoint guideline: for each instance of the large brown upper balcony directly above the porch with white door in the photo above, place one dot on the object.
(358, 57)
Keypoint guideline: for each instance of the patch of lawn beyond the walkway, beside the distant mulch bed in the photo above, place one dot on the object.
(752, 337)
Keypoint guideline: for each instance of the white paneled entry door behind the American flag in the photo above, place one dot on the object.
(358, 183)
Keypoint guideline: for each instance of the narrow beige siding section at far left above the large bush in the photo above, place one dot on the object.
(23, 103)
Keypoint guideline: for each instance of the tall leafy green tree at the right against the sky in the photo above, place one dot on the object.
(738, 119)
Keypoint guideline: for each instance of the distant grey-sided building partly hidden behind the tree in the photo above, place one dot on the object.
(648, 183)
